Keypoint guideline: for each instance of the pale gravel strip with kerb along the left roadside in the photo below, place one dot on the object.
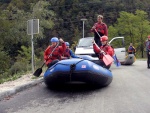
(12, 87)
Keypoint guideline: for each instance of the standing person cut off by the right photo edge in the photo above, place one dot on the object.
(148, 51)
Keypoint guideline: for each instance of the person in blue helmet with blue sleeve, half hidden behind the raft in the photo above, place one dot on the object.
(68, 52)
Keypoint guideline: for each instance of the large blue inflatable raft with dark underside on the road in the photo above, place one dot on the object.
(77, 70)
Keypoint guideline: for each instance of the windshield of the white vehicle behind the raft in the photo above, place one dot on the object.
(85, 42)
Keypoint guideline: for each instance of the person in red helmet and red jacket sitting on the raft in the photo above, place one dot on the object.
(104, 49)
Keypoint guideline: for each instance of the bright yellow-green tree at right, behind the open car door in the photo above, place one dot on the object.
(134, 27)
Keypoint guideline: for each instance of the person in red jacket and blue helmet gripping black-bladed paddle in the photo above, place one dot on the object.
(53, 52)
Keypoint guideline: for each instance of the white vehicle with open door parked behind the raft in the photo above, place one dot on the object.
(85, 47)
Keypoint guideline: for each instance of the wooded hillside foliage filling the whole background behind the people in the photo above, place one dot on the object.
(62, 18)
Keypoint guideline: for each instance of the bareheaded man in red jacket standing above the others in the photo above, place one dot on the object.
(99, 28)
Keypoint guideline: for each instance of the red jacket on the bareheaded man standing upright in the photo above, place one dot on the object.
(101, 28)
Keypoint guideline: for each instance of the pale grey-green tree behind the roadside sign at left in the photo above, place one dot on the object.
(13, 22)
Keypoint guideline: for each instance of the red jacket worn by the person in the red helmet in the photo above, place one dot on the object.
(106, 48)
